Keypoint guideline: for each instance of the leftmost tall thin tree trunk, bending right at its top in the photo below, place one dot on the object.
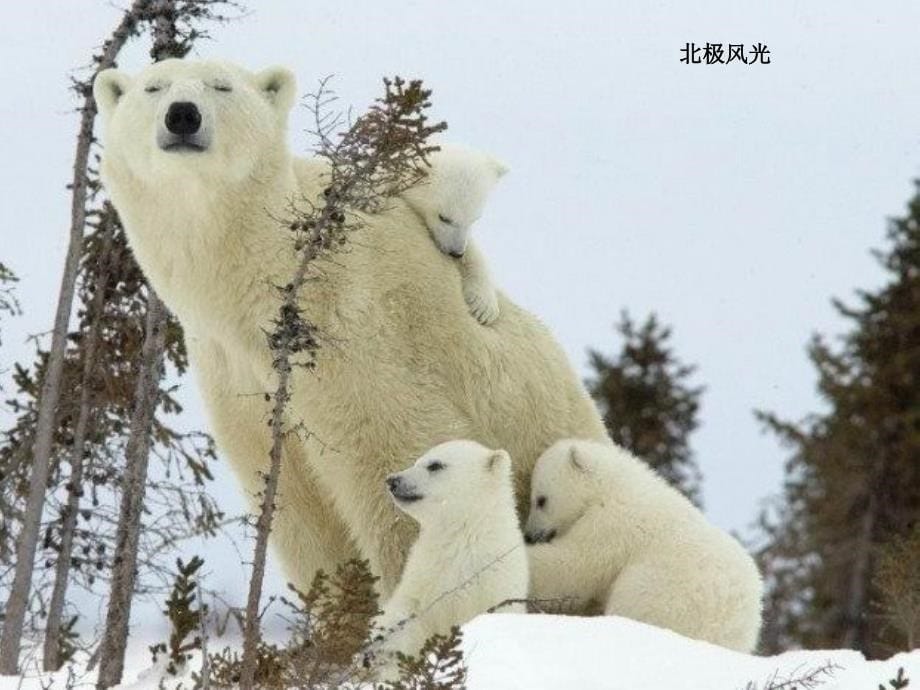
(17, 604)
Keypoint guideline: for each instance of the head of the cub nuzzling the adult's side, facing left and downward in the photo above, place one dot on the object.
(564, 485)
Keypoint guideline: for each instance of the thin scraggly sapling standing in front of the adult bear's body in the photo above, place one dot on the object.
(381, 154)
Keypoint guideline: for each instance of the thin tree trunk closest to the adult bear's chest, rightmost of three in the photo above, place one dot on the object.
(137, 455)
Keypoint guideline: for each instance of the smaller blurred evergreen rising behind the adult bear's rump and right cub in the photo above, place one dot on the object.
(647, 402)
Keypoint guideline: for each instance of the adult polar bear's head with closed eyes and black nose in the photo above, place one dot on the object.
(193, 121)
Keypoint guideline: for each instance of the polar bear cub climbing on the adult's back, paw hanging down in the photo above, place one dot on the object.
(450, 200)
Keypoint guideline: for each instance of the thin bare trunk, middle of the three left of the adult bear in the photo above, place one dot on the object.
(51, 658)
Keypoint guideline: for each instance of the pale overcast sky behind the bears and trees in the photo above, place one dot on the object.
(732, 200)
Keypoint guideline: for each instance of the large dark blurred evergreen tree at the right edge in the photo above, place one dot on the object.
(853, 479)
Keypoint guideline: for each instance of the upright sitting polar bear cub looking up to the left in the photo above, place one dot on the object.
(469, 555)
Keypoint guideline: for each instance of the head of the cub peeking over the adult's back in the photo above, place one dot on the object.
(454, 193)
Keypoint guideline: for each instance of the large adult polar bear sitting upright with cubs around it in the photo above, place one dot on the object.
(197, 163)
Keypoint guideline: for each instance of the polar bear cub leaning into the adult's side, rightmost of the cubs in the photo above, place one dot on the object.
(610, 533)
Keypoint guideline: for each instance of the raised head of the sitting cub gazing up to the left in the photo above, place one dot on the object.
(451, 481)
